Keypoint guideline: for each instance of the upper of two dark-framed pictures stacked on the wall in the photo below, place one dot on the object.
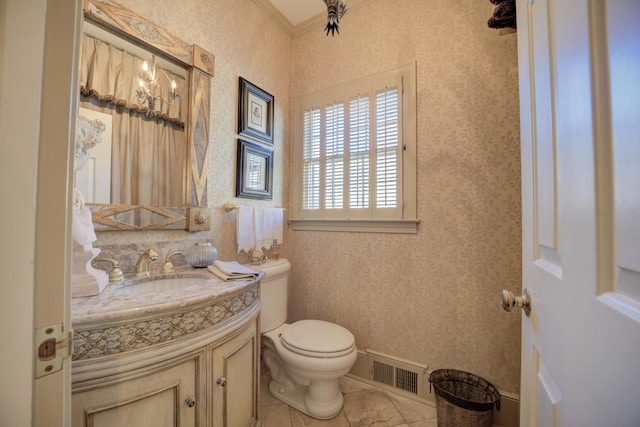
(255, 113)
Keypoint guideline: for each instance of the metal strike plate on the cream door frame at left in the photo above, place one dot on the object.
(53, 345)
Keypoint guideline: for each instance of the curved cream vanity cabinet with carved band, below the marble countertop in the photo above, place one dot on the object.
(205, 374)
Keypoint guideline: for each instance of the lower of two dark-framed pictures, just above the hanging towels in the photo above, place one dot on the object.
(254, 171)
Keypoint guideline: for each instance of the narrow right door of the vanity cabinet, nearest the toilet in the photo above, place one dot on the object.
(235, 380)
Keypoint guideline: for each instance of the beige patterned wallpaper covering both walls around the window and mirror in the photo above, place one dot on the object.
(432, 297)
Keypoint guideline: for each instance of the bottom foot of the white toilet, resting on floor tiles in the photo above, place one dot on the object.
(322, 399)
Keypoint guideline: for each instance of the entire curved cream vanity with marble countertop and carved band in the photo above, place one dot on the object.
(170, 350)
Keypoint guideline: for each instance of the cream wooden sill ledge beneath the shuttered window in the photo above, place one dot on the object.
(401, 226)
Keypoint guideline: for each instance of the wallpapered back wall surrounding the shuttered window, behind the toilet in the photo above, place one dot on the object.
(432, 297)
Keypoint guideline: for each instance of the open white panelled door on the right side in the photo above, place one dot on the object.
(580, 116)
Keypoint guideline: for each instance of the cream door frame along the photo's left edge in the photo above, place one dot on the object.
(37, 94)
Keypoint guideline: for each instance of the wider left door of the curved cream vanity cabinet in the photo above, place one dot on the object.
(157, 396)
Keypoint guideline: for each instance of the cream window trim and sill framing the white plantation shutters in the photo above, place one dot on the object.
(409, 222)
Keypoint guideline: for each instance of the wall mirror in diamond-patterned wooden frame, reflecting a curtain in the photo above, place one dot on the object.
(159, 143)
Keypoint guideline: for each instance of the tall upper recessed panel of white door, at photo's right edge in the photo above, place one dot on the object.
(622, 40)
